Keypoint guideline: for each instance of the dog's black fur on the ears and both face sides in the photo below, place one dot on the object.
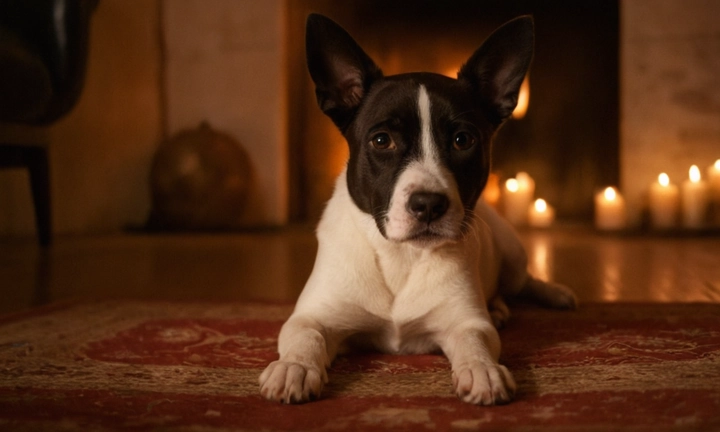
(367, 107)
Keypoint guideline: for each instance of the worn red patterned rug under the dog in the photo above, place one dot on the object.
(194, 367)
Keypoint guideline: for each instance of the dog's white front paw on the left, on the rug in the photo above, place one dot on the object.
(290, 383)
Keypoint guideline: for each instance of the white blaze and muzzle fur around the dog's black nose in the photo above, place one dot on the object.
(425, 174)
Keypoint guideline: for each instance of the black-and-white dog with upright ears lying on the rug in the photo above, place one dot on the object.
(409, 259)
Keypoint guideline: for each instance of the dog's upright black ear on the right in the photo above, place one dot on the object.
(496, 70)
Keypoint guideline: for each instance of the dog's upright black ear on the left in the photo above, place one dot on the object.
(341, 70)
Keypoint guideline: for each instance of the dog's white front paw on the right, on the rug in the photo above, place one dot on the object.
(484, 384)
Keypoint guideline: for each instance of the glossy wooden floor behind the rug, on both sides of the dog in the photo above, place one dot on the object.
(273, 265)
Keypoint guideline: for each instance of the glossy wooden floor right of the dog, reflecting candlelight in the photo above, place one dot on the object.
(627, 268)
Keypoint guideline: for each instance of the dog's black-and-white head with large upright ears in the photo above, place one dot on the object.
(419, 142)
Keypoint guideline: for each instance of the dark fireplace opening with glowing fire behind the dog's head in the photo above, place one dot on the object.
(568, 139)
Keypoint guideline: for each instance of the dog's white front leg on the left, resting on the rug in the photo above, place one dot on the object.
(306, 350)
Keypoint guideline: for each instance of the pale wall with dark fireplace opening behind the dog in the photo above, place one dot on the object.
(239, 65)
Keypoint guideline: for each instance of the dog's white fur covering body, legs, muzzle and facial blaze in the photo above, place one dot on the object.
(406, 296)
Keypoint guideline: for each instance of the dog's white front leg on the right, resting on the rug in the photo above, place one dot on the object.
(477, 377)
